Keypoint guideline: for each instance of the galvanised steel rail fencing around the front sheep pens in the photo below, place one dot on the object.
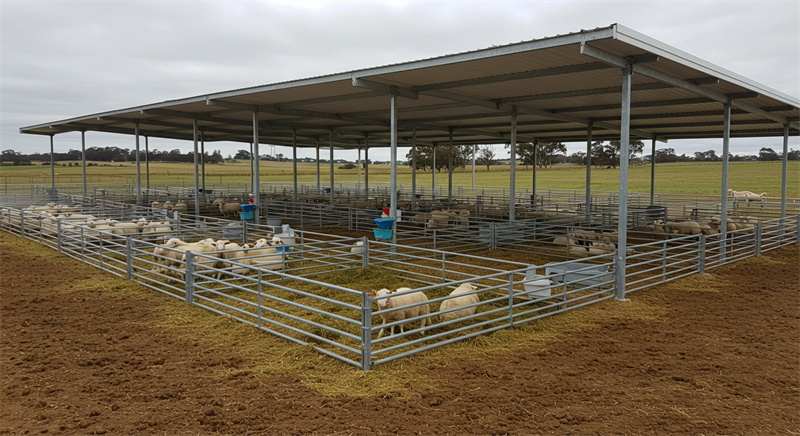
(316, 291)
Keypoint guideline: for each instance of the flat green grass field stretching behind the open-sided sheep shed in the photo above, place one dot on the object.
(679, 178)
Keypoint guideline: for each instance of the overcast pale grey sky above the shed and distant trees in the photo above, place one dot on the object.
(65, 59)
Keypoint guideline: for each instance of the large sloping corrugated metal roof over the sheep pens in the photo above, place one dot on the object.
(557, 84)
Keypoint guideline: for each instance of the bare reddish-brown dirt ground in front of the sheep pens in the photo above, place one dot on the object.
(721, 358)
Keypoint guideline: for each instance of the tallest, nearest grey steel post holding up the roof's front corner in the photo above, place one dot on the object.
(624, 153)
